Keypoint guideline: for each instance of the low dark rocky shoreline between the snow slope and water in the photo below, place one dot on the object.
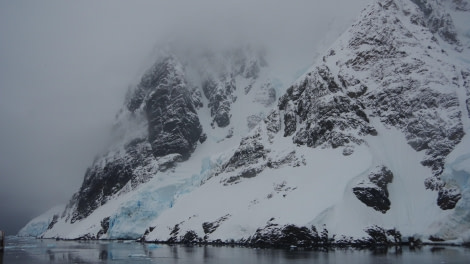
(302, 238)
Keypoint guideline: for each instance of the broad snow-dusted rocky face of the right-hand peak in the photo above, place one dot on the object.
(409, 82)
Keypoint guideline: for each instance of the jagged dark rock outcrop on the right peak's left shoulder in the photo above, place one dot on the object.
(324, 120)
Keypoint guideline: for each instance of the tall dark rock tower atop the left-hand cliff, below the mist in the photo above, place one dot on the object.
(170, 108)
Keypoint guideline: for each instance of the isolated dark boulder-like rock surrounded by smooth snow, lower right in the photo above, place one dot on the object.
(373, 192)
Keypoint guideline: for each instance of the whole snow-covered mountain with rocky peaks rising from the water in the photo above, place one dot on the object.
(370, 143)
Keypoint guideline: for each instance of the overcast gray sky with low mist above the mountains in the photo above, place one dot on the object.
(66, 65)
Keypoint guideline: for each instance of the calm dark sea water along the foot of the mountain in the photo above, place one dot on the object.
(24, 250)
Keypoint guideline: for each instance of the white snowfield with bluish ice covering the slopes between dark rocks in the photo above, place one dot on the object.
(314, 188)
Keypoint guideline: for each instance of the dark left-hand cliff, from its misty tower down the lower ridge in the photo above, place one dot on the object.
(165, 104)
